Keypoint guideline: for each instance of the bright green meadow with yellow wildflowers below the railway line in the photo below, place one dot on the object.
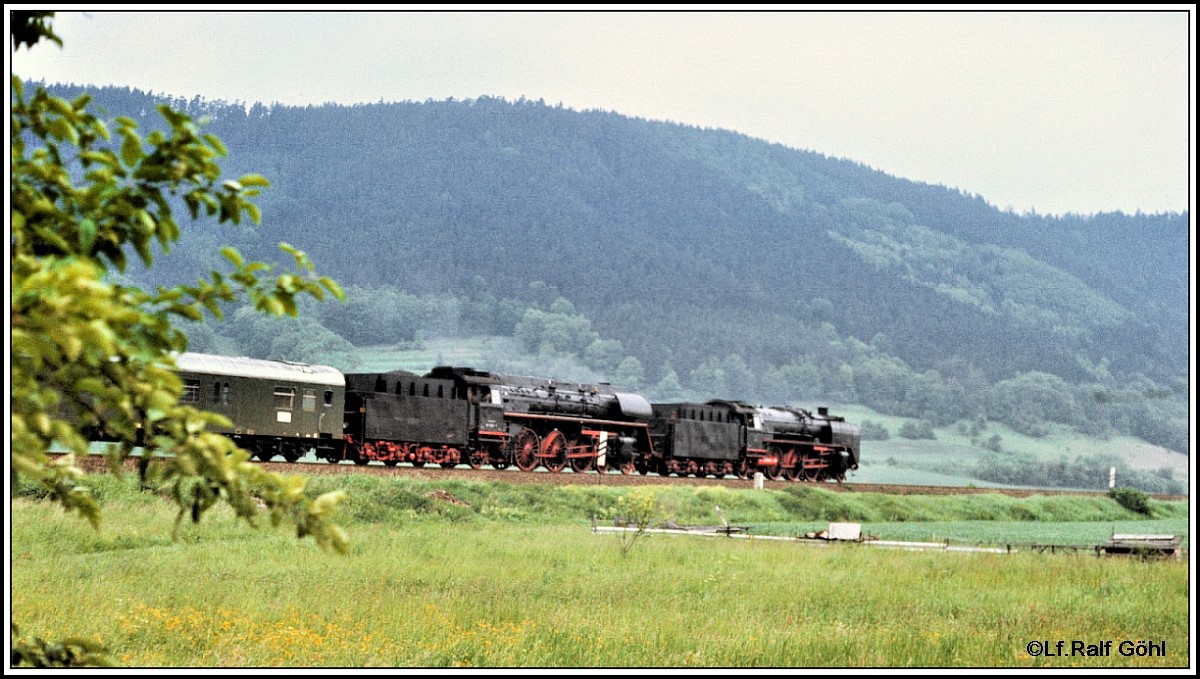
(514, 579)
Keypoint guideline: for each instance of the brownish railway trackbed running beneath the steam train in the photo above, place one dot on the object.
(97, 464)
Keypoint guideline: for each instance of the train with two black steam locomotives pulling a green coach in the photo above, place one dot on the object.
(455, 416)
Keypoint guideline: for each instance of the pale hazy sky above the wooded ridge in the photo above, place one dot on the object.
(1060, 112)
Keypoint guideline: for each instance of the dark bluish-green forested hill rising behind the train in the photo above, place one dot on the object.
(716, 260)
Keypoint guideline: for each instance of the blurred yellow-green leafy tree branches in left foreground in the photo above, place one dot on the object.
(93, 353)
